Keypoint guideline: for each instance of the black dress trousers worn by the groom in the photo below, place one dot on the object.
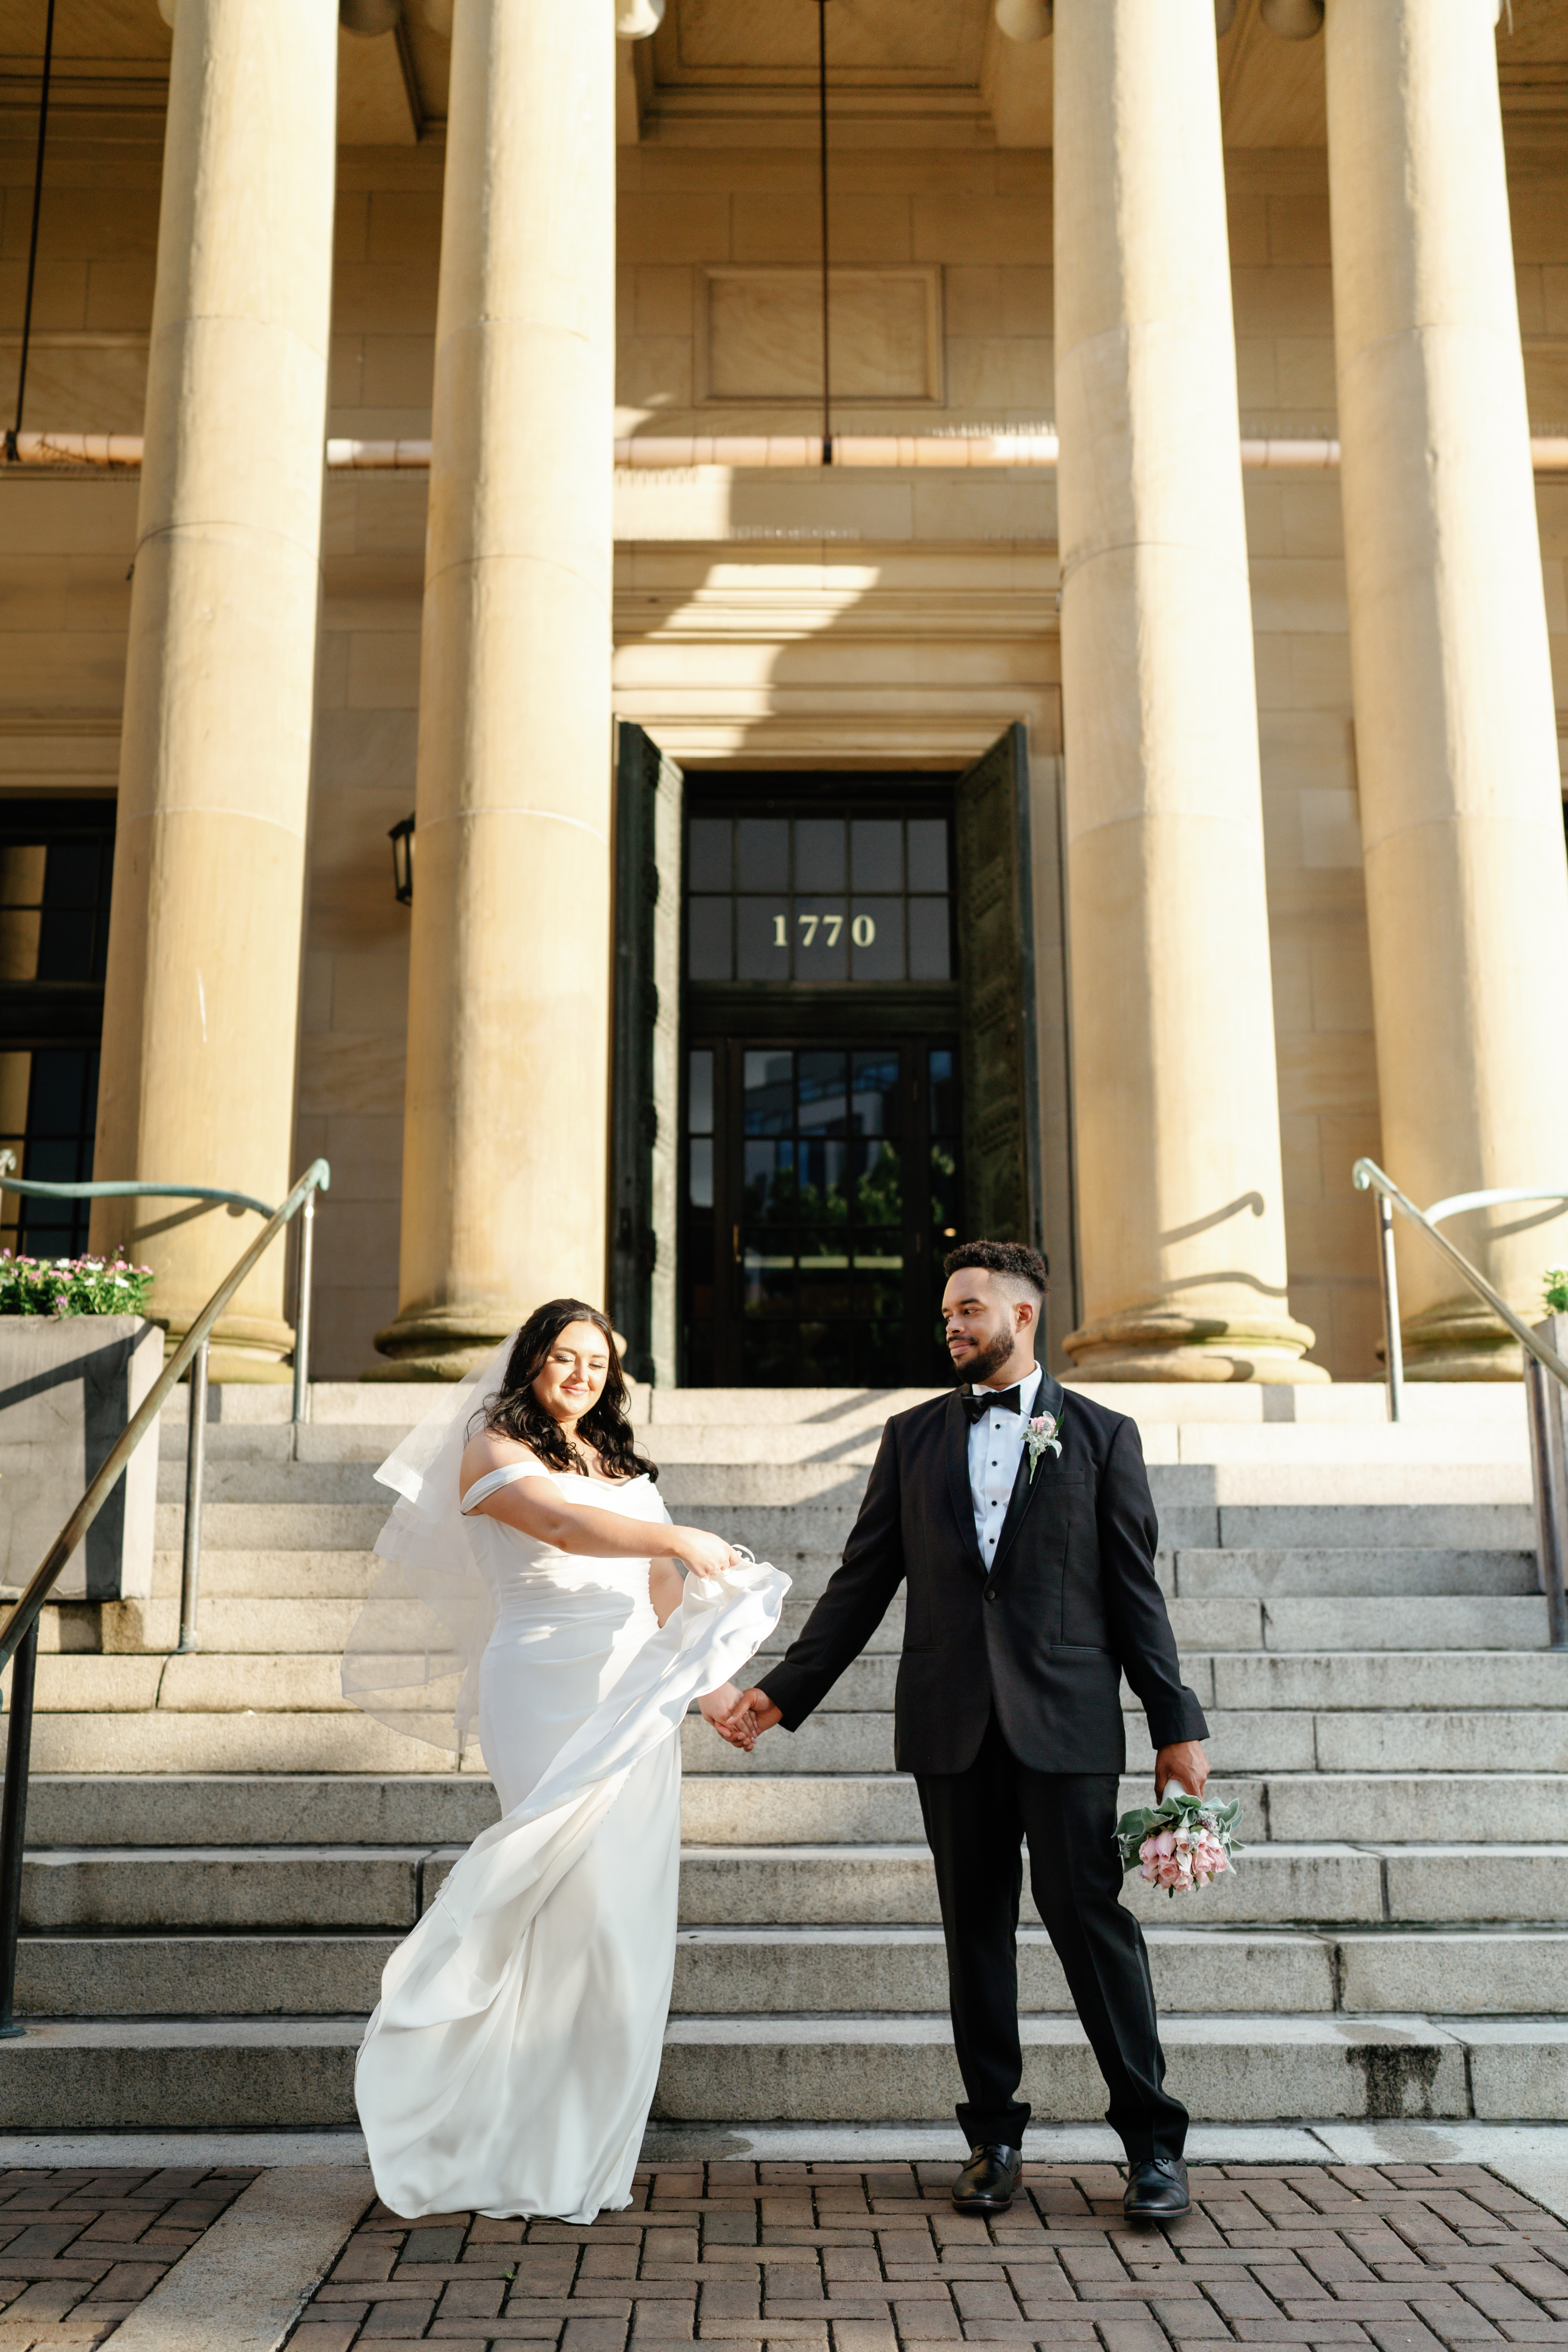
(977, 1824)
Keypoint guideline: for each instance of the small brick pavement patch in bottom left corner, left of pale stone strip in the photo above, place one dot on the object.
(81, 2250)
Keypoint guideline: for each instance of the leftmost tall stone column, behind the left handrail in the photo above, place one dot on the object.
(220, 683)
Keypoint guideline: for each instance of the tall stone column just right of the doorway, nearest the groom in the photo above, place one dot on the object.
(1181, 1220)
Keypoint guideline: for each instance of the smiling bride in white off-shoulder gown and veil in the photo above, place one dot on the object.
(535, 1582)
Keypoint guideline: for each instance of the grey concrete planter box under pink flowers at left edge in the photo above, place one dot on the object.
(67, 1391)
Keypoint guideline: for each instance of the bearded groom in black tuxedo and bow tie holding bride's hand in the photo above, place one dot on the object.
(1031, 1591)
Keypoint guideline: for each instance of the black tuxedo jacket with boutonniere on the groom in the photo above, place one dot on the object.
(1045, 1638)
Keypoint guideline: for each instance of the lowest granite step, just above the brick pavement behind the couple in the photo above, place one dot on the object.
(297, 2073)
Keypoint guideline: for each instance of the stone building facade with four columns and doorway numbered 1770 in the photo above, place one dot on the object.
(1104, 801)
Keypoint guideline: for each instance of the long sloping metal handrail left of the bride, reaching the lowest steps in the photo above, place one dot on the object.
(20, 1633)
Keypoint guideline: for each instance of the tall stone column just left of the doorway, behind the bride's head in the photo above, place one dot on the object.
(509, 991)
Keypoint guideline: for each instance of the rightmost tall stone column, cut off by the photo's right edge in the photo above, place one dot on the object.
(1456, 737)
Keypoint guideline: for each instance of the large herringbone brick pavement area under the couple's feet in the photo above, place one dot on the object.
(871, 2259)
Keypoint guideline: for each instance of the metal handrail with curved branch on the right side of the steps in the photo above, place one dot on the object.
(1546, 1412)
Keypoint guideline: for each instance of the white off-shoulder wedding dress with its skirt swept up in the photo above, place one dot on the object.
(514, 2057)
